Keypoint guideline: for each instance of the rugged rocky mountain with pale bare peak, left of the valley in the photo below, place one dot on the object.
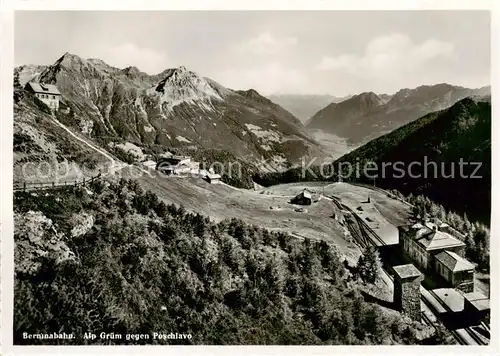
(174, 108)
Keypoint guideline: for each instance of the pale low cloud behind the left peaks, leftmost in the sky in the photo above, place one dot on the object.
(123, 55)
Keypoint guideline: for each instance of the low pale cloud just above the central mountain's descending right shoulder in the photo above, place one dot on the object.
(267, 79)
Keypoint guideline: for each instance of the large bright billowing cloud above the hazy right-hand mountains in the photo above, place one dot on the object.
(391, 55)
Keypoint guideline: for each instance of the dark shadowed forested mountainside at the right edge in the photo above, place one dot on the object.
(461, 132)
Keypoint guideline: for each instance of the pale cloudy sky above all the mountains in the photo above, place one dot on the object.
(274, 52)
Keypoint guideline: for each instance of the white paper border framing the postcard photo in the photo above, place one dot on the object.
(6, 180)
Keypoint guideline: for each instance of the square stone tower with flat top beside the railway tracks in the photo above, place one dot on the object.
(407, 279)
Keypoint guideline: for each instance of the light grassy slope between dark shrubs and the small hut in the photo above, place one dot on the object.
(268, 211)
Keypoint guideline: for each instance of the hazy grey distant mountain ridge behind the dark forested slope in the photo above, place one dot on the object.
(367, 115)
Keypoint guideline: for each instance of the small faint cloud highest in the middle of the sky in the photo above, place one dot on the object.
(266, 44)
